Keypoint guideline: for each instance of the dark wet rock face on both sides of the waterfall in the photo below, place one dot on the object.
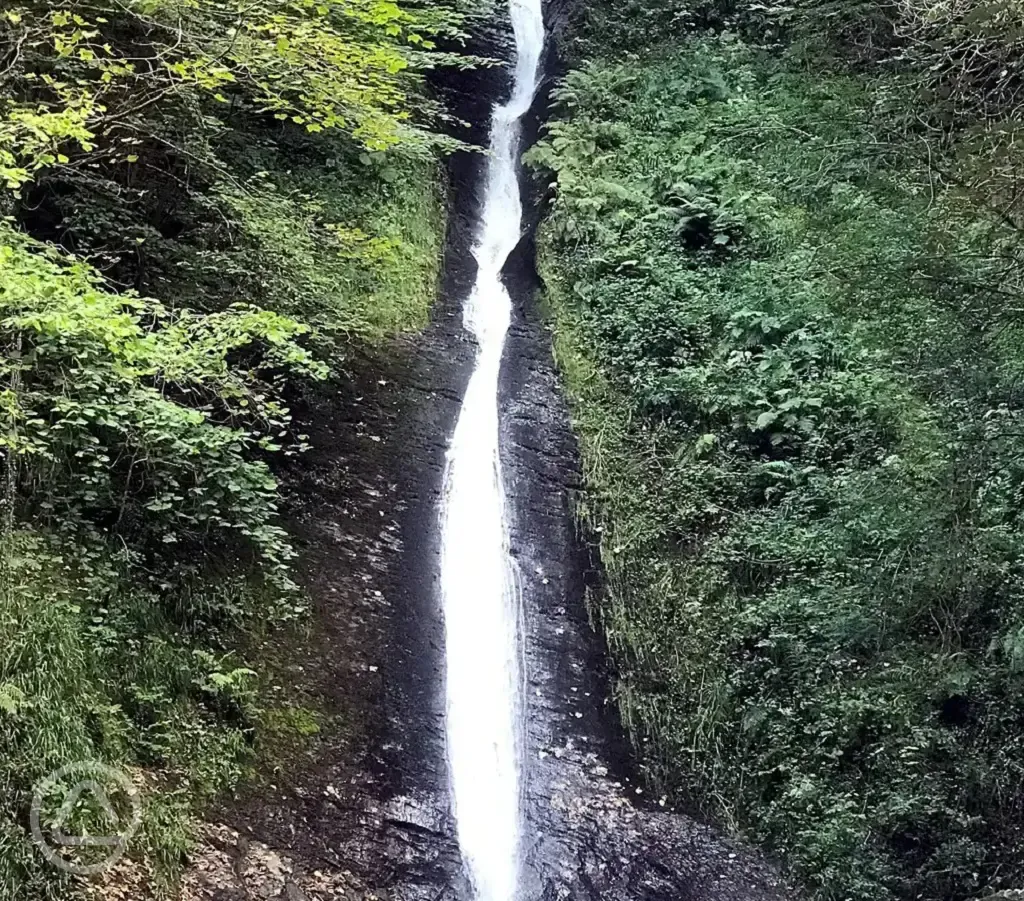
(364, 814)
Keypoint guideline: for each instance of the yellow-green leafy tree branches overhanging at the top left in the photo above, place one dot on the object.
(87, 76)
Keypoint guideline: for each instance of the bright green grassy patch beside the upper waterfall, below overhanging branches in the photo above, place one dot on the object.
(349, 243)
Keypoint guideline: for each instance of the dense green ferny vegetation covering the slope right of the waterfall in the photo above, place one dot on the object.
(785, 276)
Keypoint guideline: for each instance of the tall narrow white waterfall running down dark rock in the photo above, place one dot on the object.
(481, 598)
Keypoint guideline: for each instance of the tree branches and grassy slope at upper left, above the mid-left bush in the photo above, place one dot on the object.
(210, 154)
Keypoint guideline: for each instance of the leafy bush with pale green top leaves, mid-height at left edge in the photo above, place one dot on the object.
(125, 416)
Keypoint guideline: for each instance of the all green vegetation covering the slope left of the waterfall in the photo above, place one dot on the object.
(204, 203)
